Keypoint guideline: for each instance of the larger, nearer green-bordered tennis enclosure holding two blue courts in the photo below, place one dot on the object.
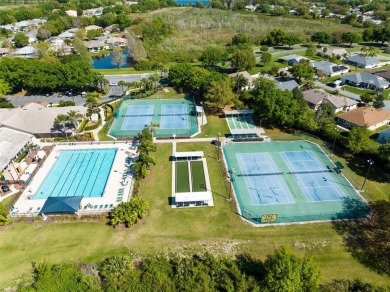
(294, 180)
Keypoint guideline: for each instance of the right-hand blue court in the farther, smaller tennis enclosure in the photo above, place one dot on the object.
(174, 116)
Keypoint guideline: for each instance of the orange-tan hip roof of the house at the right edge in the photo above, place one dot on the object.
(365, 116)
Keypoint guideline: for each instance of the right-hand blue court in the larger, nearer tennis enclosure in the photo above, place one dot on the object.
(317, 185)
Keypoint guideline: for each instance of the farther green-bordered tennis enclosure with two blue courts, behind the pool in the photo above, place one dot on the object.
(167, 117)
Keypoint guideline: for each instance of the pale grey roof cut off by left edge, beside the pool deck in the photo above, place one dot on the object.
(11, 142)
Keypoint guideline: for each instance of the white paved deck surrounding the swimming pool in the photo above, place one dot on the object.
(27, 206)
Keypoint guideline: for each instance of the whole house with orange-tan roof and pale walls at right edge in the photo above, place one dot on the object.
(364, 117)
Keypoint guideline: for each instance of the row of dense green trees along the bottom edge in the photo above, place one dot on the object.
(281, 271)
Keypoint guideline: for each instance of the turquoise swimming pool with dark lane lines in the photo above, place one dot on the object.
(78, 173)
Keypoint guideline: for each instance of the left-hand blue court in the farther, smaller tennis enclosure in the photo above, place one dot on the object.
(137, 117)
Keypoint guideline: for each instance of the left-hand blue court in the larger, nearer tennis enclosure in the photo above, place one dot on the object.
(264, 182)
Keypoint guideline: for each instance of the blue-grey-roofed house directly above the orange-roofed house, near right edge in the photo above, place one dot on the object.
(365, 80)
